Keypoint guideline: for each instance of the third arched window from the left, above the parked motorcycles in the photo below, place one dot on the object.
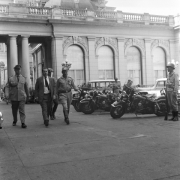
(134, 65)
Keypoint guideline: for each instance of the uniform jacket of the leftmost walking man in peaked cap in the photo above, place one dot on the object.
(18, 89)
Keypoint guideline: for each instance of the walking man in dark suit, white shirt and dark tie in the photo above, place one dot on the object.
(45, 92)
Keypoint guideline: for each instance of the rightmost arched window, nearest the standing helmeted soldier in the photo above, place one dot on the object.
(159, 59)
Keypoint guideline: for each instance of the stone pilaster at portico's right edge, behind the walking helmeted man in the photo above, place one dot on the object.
(57, 55)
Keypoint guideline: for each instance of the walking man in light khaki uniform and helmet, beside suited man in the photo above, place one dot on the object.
(64, 86)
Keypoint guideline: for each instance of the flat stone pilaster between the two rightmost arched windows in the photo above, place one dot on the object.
(149, 63)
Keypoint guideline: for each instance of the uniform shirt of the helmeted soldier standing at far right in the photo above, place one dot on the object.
(173, 82)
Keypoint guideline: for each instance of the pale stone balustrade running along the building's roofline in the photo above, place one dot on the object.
(119, 16)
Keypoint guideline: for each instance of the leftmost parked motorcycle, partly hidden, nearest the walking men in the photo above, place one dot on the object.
(77, 97)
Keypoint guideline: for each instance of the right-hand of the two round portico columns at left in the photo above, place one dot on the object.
(25, 59)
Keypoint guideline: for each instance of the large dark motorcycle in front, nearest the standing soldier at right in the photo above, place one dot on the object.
(137, 103)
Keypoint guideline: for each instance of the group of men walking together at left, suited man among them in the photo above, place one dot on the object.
(48, 92)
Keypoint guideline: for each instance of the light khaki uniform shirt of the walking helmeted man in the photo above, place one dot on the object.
(65, 84)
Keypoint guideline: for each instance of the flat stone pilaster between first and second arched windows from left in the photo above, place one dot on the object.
(93, 59)
